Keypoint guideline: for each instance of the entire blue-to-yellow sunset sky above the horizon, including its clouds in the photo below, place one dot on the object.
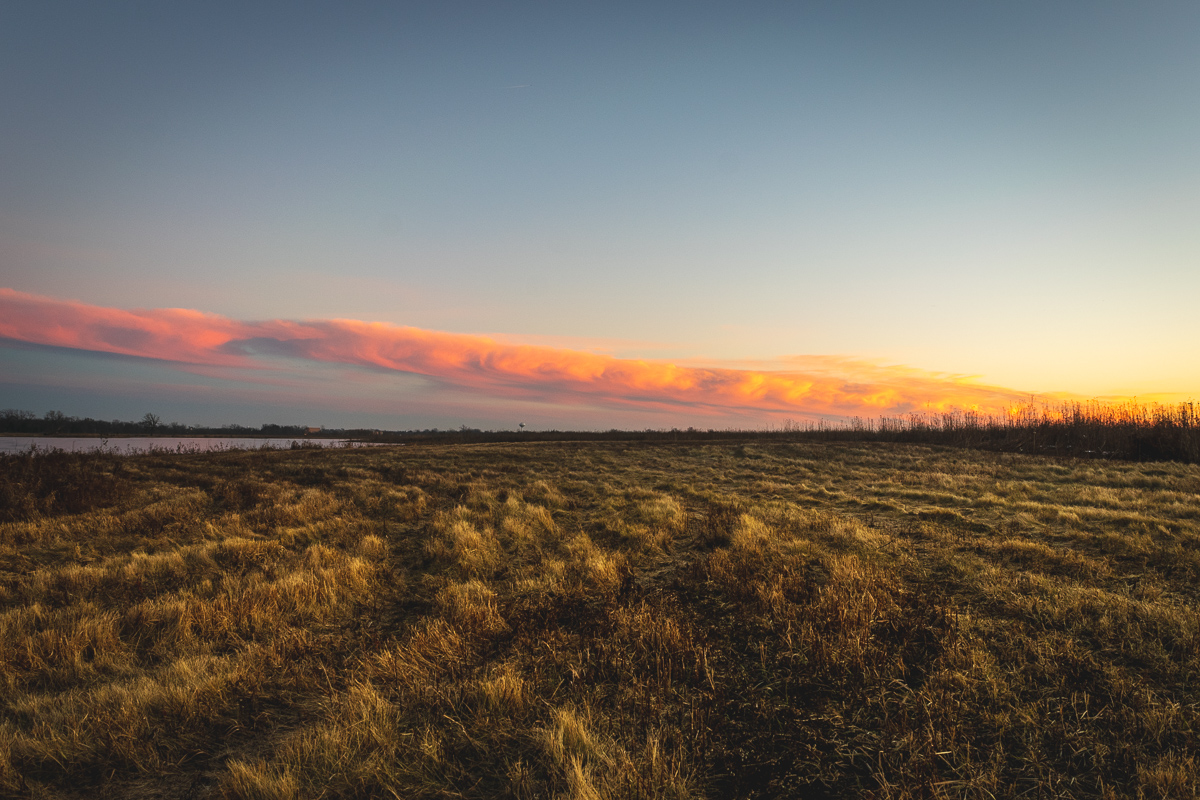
(595, 215)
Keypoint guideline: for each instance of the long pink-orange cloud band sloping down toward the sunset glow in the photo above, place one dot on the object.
(806, 387)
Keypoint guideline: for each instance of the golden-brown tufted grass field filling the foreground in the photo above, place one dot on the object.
(599, 621)
